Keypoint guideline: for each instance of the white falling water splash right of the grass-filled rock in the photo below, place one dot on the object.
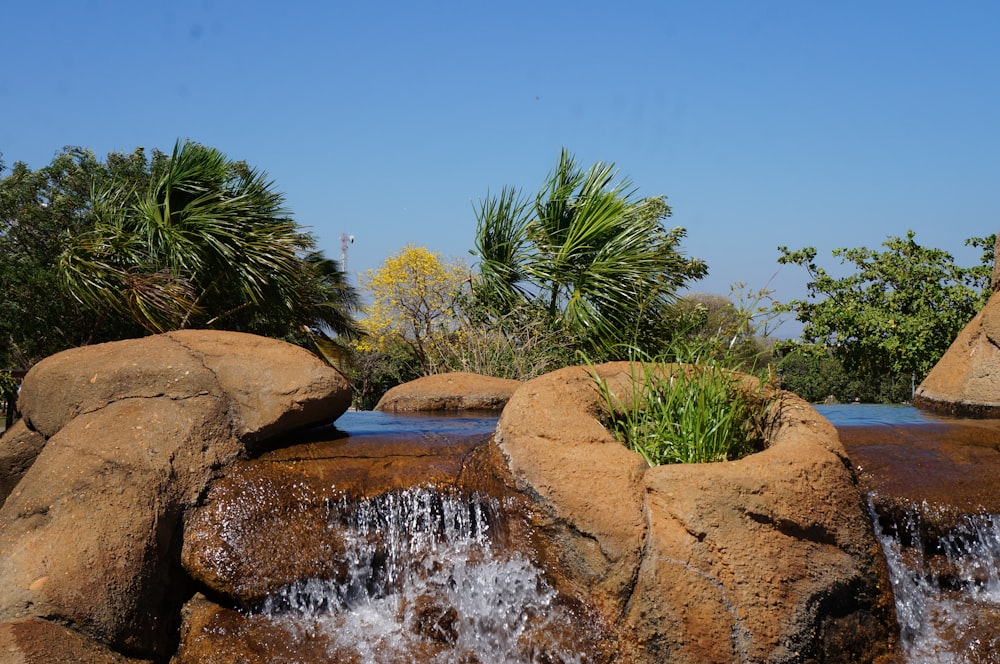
(946, 585)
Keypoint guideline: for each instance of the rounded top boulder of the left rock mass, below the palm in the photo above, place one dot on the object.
(268, 386)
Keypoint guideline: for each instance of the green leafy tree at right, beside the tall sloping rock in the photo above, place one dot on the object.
(897, 313)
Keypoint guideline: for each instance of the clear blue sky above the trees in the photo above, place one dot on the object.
(820, 124)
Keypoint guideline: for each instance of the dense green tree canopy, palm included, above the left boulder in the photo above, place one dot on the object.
(96, 251)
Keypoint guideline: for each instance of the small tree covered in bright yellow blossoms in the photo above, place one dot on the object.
(413, 304)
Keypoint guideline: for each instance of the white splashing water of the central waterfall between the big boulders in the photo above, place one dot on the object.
(423, 581)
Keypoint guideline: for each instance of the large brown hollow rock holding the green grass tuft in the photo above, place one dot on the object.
(770, 558)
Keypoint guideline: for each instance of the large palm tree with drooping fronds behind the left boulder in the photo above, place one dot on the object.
(207, 244)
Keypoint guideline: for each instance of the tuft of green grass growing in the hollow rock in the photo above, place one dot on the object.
(687, 413)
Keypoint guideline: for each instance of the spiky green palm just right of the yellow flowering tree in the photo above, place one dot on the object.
(585, 251)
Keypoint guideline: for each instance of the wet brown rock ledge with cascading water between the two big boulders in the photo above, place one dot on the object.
(442, 568)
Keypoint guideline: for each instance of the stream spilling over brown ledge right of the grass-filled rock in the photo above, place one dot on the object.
(939, 531)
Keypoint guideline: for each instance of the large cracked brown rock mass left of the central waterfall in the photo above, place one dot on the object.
(91, 535)
